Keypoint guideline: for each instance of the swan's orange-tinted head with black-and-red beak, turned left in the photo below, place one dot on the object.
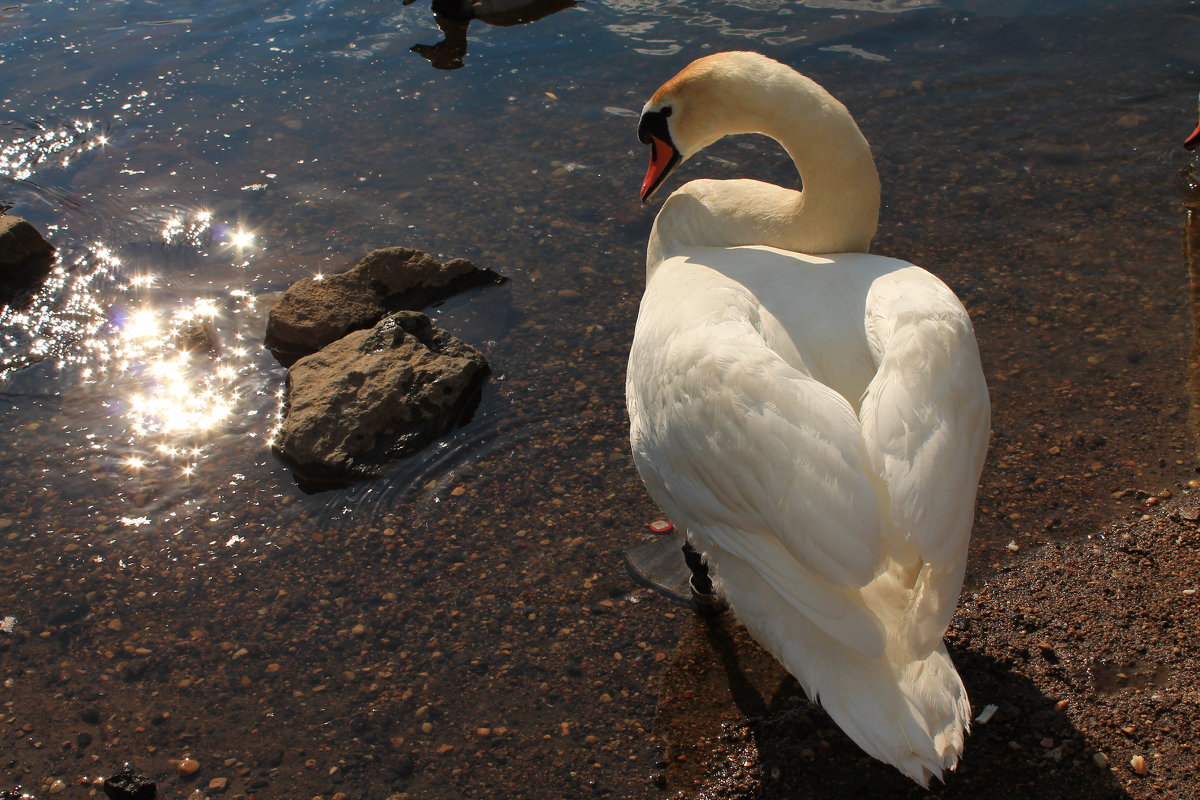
(711, 98)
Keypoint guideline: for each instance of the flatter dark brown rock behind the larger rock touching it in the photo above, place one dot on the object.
(313, 314)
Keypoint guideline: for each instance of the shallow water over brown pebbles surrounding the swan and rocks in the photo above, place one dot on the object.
(190, 160)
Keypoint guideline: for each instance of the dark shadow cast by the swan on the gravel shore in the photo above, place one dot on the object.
(734, 724)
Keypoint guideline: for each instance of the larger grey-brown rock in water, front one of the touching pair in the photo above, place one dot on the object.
(377, 395)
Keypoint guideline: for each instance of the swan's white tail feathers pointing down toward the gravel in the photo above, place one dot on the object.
(910, 712)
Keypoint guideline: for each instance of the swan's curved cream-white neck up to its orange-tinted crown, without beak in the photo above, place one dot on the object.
(838, 210)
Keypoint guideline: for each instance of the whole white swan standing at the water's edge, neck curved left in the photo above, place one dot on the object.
(818, 424)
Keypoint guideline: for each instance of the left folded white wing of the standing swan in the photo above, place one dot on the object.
(734, 441)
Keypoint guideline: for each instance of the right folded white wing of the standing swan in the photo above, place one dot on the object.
(926, 425)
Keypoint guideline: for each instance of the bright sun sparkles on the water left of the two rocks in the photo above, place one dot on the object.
(155, 363)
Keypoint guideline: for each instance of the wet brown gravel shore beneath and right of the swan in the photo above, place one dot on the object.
(1087, 653)
